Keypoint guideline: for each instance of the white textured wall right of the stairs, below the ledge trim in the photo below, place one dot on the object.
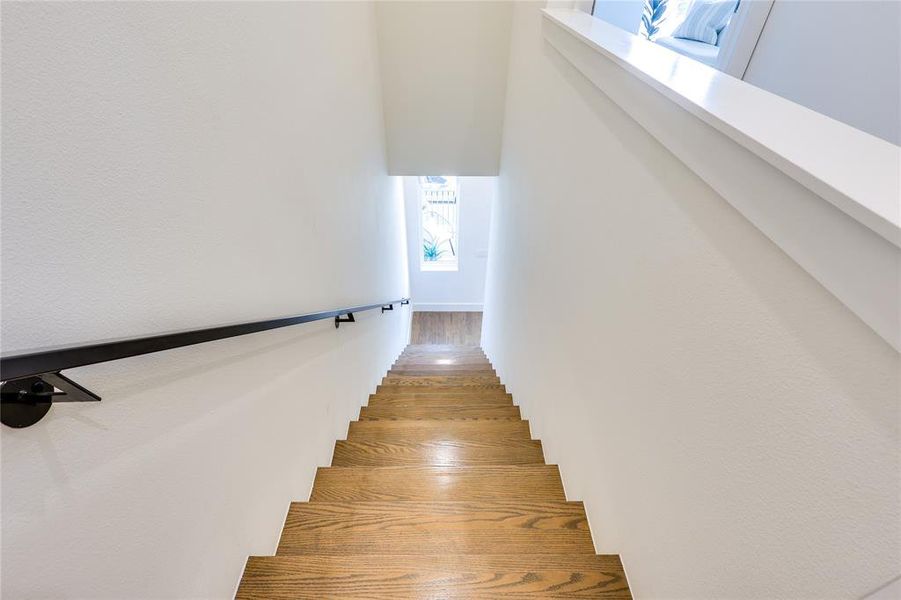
(731, 426)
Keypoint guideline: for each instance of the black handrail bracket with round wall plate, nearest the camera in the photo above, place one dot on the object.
(25, 401)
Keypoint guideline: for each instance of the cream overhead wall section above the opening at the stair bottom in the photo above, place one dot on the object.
(444, 72)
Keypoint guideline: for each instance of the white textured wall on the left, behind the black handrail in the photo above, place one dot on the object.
(168, 166)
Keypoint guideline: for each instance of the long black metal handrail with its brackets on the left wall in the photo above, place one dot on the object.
(32, 378)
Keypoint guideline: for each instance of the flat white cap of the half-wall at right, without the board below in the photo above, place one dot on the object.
(855, 171)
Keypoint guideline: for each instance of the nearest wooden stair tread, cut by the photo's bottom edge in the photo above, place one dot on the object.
(384, 577)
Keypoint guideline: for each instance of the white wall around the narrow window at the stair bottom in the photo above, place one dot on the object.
(464, 289)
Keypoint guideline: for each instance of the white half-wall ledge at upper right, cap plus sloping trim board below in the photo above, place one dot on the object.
(827, 194)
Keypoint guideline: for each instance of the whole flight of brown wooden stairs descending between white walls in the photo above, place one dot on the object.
(438, 492)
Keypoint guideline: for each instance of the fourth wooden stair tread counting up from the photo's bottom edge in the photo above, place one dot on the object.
(437, 453)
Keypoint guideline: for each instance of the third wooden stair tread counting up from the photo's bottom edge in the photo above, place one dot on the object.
(507, 482)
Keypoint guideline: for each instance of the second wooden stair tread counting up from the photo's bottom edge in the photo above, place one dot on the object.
(436, 528)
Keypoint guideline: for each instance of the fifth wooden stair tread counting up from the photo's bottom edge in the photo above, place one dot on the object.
(438, 430)
